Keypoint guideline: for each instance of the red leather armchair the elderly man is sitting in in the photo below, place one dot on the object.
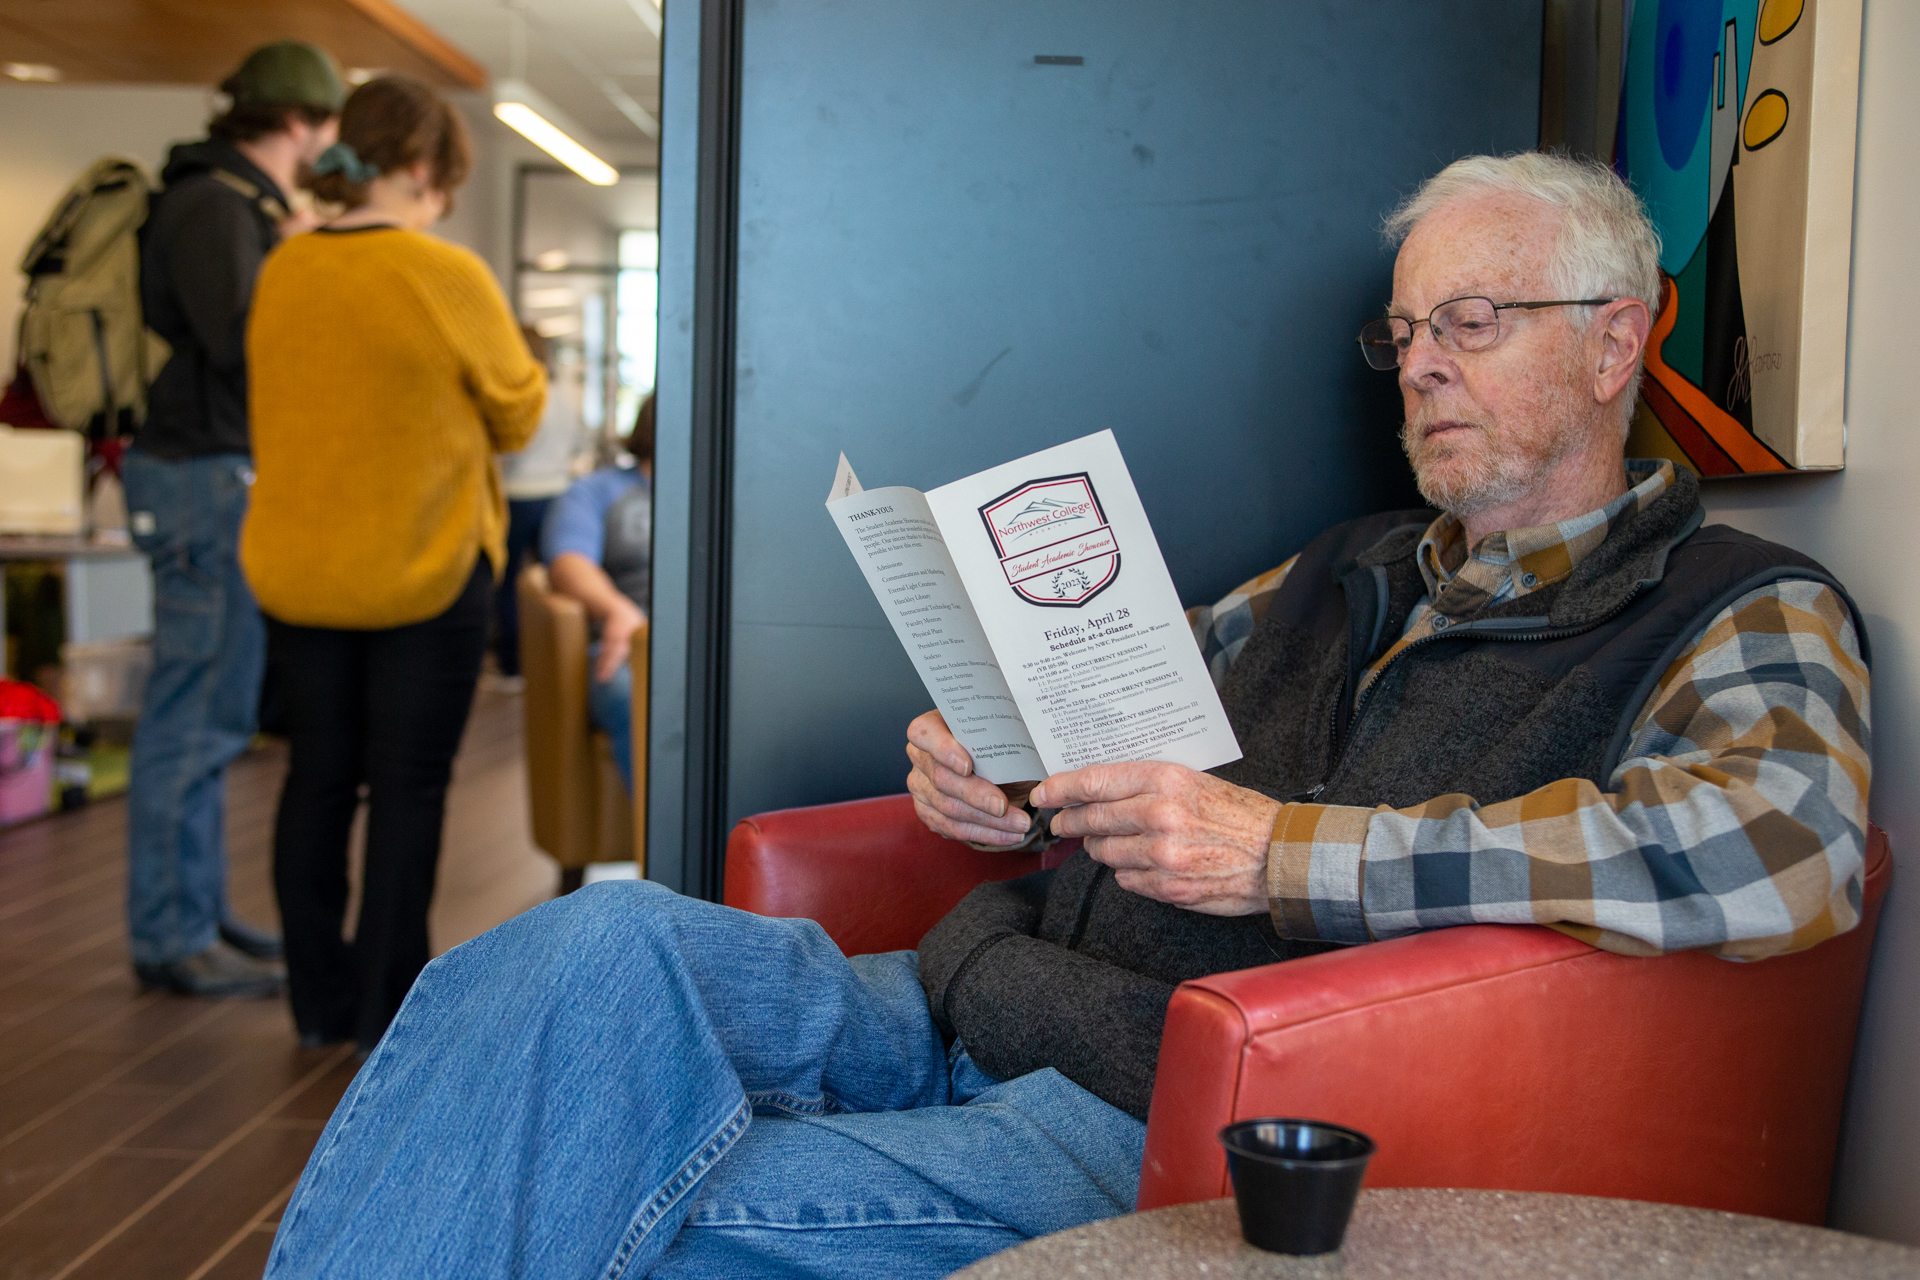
(1489, 1056)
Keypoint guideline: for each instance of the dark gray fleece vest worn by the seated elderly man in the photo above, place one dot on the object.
(1499, 705)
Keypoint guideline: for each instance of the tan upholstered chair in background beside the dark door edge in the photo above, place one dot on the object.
(579, 805)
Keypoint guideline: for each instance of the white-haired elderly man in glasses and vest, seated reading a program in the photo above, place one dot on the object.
(1556, 701)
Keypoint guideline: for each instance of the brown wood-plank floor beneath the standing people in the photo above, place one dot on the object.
(155, 1137)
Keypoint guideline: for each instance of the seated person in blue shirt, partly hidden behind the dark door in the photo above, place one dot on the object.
(598, 546)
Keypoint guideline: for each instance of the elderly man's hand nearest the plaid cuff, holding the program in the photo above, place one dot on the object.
(1170, 832)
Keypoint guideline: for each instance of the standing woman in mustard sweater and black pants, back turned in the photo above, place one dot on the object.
(387, 371)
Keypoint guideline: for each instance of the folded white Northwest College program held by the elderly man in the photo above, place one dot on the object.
(1036, 607)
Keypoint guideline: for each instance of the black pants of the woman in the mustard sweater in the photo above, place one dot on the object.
(385, 711)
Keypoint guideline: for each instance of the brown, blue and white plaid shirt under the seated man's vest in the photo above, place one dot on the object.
(1735, 822)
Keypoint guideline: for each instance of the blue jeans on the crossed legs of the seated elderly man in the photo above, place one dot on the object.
(631, 1083)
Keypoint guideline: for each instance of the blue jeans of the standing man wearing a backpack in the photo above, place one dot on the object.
(201, 701)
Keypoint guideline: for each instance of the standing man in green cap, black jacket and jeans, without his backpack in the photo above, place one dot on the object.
(222, 210)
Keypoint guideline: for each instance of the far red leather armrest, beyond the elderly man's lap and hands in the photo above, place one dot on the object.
(867, 870)
